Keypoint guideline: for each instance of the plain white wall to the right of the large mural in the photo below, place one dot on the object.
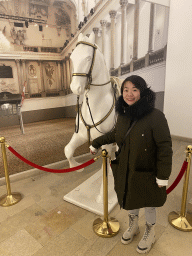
(178, 83)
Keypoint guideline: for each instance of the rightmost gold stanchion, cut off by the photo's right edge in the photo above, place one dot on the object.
(183, 220)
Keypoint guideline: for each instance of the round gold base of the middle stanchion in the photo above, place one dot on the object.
(106, 229)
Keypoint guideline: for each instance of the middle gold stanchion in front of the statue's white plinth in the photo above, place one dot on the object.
(108, 227)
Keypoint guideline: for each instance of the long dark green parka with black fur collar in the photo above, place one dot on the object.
(145, 155)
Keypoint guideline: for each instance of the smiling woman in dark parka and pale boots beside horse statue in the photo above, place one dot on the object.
(145, 159)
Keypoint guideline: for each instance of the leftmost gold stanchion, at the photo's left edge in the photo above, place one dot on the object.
(10, 198)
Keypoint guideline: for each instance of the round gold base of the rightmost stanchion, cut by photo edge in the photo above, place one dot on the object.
(179, 222)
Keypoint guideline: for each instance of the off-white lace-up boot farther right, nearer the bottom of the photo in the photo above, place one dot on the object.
(147, 240)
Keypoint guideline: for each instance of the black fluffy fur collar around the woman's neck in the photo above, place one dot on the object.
(140, 108)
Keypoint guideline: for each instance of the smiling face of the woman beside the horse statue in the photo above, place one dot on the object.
(130, 93)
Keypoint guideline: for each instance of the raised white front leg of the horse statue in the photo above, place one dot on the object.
(69, 150)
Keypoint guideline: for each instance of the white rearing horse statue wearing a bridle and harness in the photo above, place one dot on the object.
(91, 79)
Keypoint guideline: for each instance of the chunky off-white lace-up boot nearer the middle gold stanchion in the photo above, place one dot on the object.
(132, 231)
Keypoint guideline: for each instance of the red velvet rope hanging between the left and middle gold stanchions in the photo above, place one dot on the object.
(48, 169)
